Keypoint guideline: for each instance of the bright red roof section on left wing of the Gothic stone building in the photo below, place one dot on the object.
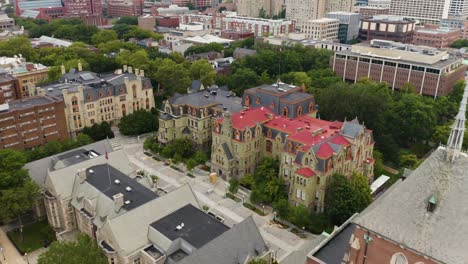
(249, 117)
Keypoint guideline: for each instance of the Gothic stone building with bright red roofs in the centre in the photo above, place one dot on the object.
(310, 150)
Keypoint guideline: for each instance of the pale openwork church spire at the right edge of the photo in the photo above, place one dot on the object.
(455, 140)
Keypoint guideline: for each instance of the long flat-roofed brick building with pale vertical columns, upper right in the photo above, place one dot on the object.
(431, 71)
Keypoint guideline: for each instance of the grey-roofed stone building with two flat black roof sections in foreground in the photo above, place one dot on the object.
(100, 196)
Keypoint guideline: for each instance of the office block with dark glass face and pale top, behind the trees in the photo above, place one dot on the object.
(348, 28)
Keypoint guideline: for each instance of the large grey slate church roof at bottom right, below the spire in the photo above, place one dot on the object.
(400, 213)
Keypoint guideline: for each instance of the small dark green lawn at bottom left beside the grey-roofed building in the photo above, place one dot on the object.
(35, 236)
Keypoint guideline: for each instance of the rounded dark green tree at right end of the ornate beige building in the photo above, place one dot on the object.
(139, 122)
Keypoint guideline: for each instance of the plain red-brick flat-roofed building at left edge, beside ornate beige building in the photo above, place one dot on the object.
(31, 122)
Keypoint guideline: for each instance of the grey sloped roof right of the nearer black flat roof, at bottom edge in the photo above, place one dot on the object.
(232, 247)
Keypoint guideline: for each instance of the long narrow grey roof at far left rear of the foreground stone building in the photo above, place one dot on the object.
(38, 169)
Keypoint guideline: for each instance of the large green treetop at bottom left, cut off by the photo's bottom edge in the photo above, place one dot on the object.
(82, 251)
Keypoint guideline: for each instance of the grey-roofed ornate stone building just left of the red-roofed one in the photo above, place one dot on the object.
(191, 115)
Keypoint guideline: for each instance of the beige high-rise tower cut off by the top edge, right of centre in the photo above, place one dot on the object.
(303, 10)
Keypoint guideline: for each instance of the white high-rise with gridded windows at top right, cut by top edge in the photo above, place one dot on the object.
(426, 11)
